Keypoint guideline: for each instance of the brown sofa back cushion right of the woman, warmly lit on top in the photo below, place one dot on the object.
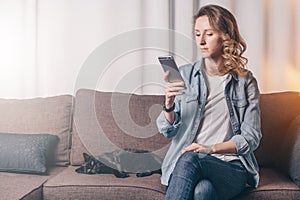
(278, 110)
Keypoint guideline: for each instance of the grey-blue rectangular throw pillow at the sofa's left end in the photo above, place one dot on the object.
(26, 153)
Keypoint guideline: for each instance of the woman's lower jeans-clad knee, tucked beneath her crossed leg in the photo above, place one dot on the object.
(205, 190)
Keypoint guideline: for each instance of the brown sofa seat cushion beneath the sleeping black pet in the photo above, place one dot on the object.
(71, 185)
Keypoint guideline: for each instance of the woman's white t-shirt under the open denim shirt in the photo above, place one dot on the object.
(215, 125)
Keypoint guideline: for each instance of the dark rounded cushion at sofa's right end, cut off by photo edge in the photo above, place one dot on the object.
(289, 156)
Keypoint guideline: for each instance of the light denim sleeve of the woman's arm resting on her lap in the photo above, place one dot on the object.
(250, 129)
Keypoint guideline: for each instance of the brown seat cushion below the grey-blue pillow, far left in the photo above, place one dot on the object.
(24, 186)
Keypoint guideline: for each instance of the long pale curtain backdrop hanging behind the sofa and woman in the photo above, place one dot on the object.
(53, 47)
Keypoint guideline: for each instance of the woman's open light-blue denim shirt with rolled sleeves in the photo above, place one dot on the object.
(242, 96)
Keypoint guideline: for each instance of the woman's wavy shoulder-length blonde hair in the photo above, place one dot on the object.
(233, 44)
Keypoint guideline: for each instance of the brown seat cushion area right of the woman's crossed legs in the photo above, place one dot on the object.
(273, 185)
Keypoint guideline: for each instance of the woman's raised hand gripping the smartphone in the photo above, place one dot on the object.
(172, 90)
